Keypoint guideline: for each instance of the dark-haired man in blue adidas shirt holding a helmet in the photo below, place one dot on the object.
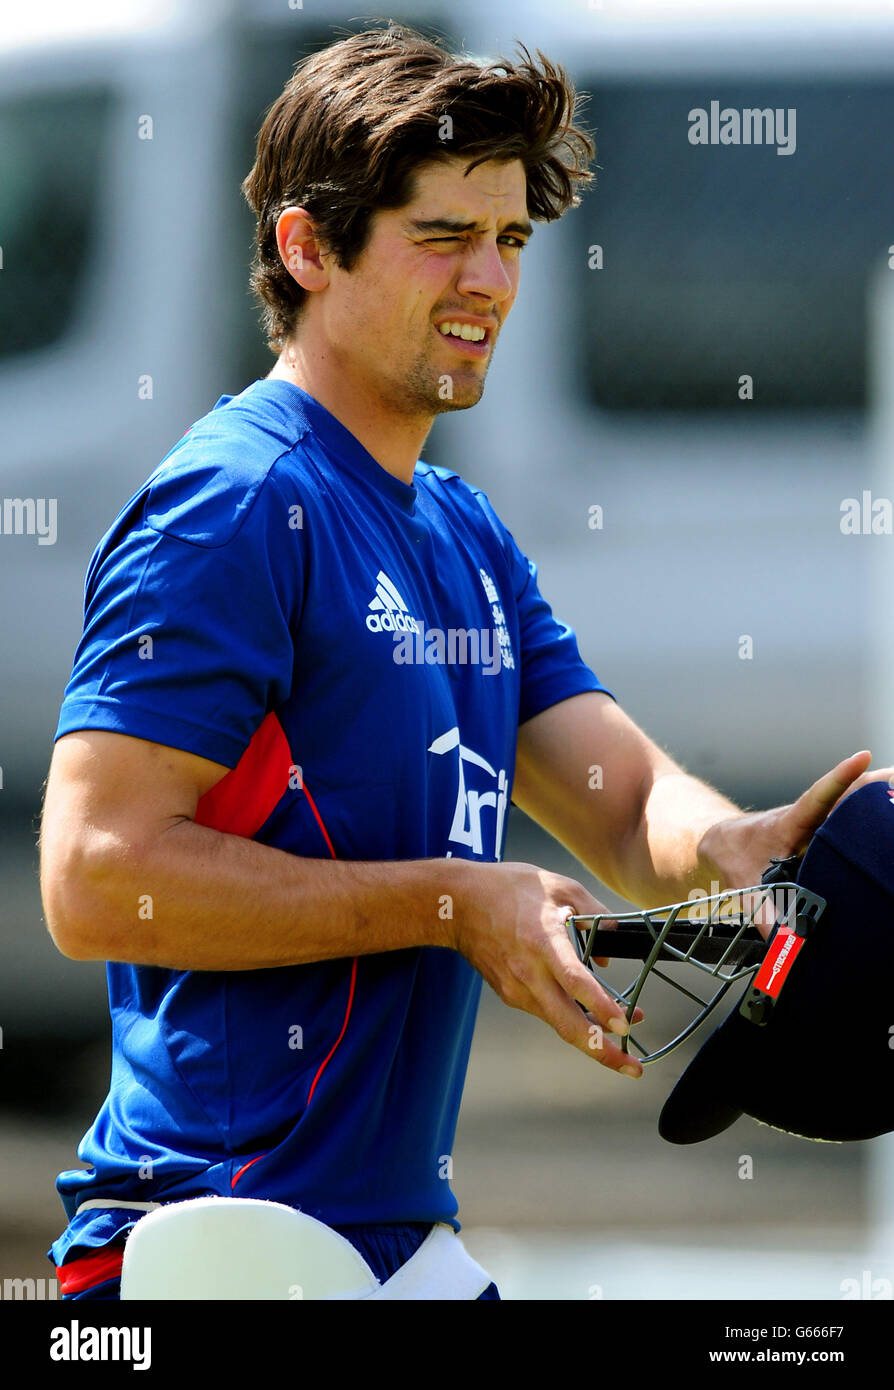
(312, 676)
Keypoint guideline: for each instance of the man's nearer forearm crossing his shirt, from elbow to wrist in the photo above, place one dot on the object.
(202, 900)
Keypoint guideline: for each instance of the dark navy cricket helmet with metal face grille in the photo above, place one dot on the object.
(785, 1054)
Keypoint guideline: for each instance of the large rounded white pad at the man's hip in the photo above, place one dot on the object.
(243, 1249)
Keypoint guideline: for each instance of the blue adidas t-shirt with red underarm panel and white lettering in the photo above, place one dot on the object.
(361, 653)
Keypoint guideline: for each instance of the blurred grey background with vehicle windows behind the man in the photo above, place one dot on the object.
(688, 526)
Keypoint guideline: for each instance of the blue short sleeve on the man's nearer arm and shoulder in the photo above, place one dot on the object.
(191, 605)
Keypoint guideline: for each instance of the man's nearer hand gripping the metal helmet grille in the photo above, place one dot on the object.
(514, 933)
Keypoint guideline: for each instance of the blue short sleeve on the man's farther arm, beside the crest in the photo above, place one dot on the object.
(553, 668)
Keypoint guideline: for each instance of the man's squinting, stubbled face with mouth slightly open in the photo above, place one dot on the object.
(453, 255)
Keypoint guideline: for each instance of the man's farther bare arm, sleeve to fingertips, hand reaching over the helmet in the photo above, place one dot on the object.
(639, 822)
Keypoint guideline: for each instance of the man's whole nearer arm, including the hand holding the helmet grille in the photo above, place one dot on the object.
(119, 835)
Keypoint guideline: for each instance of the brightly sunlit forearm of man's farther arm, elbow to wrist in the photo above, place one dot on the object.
(668, 853)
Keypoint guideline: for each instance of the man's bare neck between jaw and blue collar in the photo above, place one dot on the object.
(394, 440)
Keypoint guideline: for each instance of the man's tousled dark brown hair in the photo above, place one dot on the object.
(357, 119)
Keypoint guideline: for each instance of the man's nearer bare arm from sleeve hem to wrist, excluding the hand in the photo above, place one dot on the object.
(127, 875)
